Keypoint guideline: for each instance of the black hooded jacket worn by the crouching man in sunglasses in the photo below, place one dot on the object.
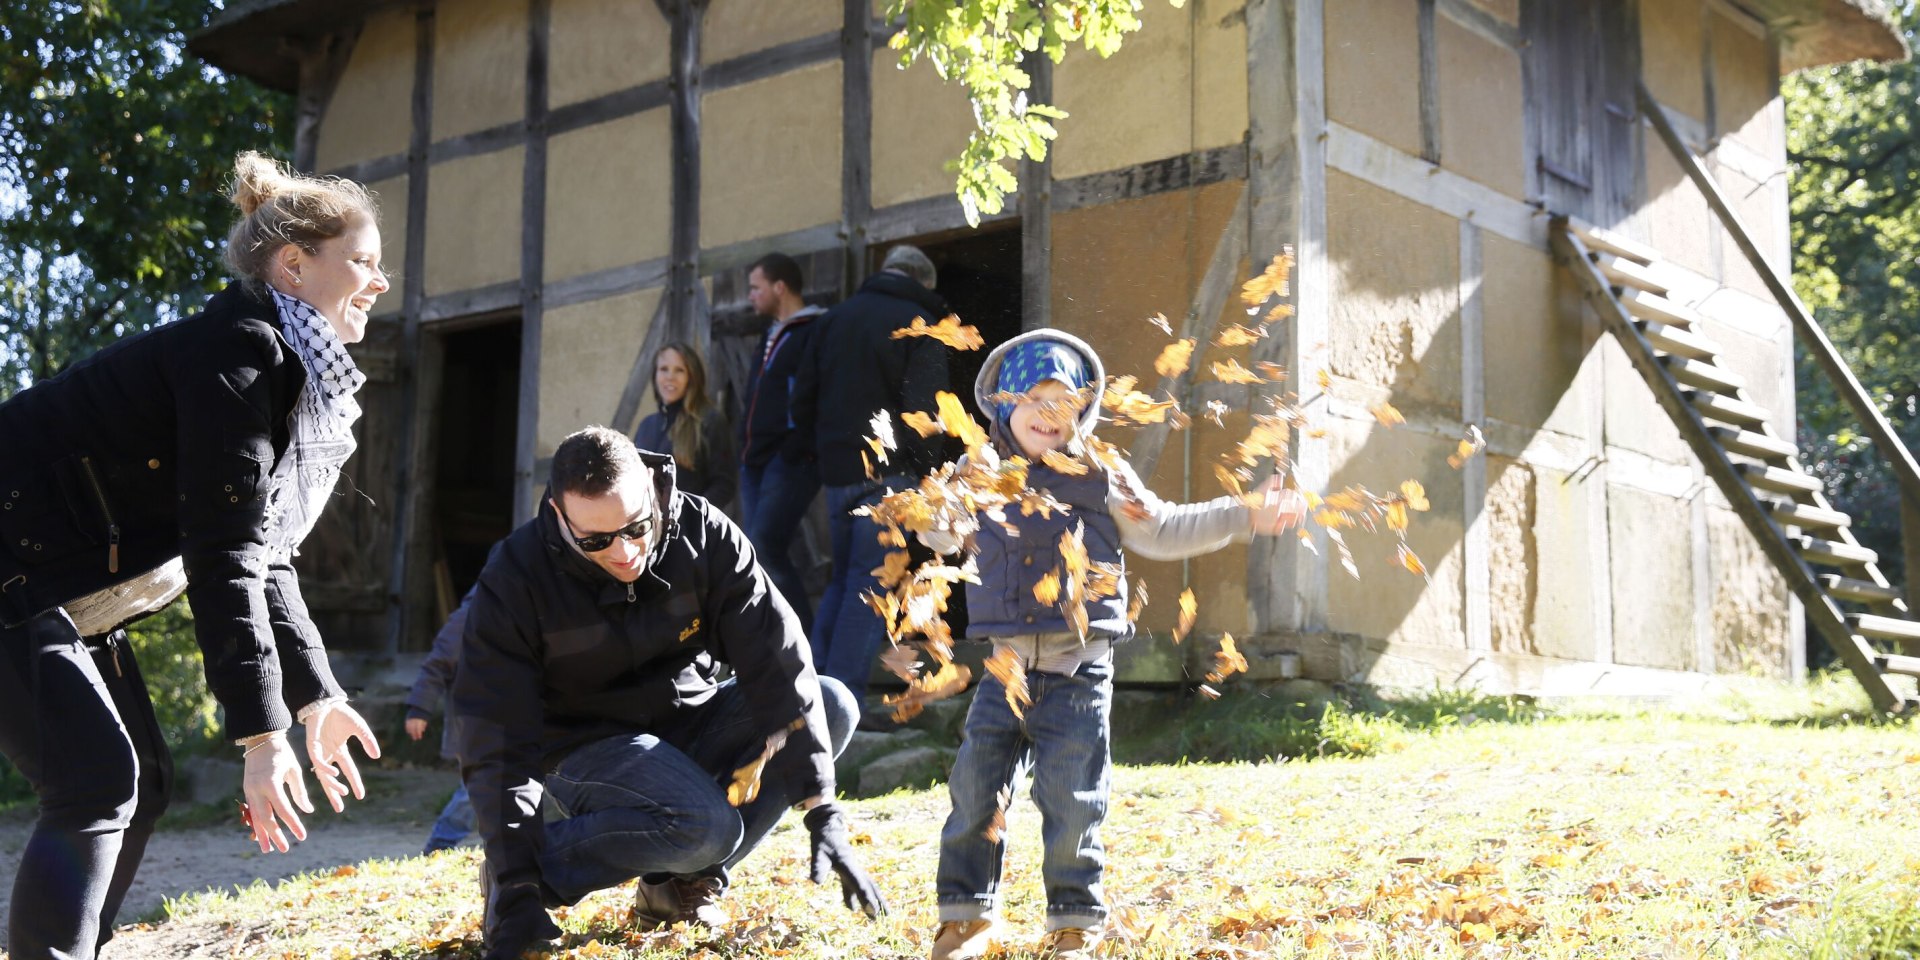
(558, 654)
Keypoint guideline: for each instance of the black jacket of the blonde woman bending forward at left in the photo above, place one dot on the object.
(160, 446)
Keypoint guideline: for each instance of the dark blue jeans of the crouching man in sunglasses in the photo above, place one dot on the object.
(638, 805)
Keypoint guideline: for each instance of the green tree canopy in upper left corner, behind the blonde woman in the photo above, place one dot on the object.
(114, 151)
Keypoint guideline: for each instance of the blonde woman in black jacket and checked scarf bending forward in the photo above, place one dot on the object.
(187, 460)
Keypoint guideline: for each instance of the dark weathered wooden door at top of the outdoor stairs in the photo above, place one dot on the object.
(1583, 62)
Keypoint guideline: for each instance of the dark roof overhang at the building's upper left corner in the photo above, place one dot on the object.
(260, 39)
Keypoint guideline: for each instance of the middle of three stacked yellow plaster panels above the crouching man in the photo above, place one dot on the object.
(610, 195)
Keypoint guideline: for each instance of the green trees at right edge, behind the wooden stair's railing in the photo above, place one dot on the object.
(1856, 199)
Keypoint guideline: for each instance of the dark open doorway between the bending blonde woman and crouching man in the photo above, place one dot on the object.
(475, 423)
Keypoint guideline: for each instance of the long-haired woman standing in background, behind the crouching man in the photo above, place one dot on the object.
(688, 427)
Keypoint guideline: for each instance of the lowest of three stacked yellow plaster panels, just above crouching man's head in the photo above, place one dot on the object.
(587, 356)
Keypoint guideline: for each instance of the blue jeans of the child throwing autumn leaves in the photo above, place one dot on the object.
(1065, 742)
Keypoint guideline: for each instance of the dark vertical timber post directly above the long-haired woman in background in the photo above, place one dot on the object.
(684, 89)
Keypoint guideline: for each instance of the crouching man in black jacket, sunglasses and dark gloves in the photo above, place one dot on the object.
(590, 673)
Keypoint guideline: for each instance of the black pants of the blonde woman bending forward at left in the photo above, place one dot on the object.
(76, 719)
